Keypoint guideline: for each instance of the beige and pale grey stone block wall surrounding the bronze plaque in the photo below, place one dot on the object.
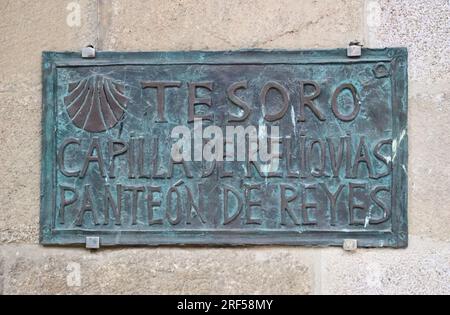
(30, 27)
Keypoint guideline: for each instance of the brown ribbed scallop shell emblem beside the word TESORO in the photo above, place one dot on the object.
(95, 104)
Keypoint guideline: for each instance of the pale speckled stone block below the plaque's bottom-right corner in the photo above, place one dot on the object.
(423, 268)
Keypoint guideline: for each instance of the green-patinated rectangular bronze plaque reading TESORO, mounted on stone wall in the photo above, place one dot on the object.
(230, 148)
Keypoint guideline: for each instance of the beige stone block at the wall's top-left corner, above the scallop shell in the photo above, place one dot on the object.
(30, 27)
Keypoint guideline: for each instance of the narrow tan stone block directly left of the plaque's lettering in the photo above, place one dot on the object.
(19, 166)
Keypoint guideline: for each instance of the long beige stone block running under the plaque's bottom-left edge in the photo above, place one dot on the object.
(158, 271)
